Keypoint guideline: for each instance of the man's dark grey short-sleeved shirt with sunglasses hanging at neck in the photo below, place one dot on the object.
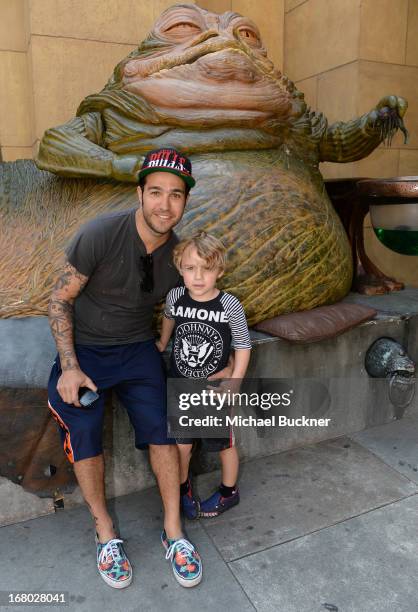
(112, 309)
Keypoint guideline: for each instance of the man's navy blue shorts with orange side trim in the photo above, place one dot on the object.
(136, 374)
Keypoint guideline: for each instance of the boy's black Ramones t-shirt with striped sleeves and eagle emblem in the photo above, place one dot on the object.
(204, 332)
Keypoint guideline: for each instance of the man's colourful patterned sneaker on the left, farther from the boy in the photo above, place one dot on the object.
(113, 564)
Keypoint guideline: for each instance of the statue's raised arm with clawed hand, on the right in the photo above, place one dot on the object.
(353, 140)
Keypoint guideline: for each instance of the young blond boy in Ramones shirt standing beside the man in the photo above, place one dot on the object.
(207, 323)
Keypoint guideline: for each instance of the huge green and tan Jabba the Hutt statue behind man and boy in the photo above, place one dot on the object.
(203, 83)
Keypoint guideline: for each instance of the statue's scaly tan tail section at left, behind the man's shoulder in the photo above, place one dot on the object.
(39, 213)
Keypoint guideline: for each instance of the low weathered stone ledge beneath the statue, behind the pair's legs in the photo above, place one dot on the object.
(329, 382)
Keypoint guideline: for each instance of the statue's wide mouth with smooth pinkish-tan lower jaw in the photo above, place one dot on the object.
(223, 79)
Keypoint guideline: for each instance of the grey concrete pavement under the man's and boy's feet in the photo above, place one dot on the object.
(330, 526)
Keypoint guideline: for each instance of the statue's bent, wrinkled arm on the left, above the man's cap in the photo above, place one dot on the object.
(76, 149)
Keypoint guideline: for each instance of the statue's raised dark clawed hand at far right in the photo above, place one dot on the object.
(387, 117)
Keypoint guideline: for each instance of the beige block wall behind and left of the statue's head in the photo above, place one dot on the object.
(54, 52)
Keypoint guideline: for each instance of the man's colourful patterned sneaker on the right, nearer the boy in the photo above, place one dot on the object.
(185, 560)
